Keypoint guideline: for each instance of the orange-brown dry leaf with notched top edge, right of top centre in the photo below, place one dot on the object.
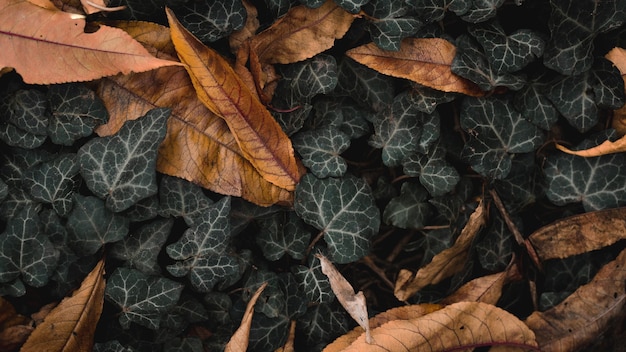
(425, 61)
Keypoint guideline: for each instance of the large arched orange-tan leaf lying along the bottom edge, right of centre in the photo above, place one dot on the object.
(457, 327)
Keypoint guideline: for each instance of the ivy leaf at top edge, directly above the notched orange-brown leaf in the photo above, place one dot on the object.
(389, 24)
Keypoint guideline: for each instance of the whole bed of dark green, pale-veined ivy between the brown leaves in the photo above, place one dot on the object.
(386, 159)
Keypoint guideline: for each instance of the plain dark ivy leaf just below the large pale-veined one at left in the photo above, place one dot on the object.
(91, 225)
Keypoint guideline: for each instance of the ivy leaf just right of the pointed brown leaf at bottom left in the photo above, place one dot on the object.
(142, 298)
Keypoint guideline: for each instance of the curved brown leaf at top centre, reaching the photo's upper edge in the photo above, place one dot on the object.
(282, 43)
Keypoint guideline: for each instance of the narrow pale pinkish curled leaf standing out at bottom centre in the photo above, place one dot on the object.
(354, 303)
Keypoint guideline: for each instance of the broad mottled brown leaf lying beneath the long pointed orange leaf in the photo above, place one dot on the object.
(198, 146)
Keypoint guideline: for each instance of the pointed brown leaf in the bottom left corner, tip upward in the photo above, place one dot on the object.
(71, 325)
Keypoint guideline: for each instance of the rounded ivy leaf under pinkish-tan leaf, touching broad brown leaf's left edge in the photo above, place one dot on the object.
(76, 111)
